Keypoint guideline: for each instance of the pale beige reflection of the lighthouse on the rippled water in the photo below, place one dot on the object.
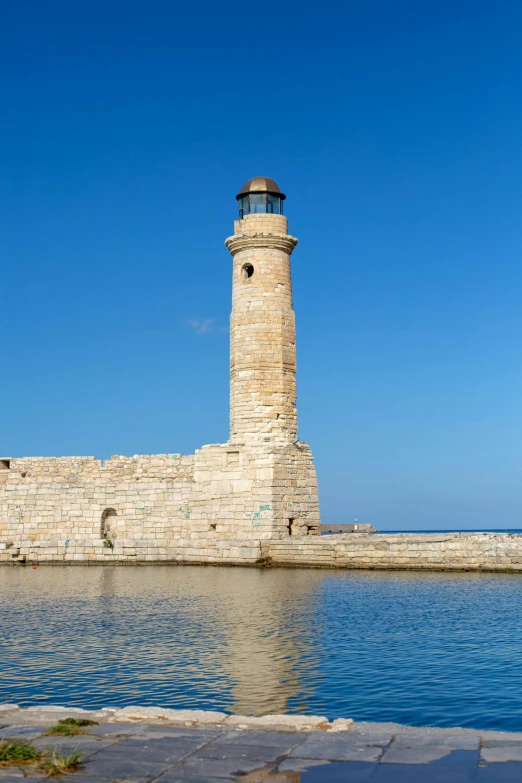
(269, 636)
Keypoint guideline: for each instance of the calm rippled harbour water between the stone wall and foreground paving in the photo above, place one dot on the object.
(425, 649)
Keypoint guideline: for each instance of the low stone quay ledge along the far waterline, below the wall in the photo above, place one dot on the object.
(489, 552)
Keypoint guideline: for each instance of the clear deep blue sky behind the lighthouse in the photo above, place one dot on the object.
(395, 128)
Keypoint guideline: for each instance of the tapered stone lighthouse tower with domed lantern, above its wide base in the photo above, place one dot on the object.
(262, 325)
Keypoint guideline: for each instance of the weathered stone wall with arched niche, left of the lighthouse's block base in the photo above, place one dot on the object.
(65, 498)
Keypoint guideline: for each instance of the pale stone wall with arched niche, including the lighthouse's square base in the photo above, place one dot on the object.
(154, 507)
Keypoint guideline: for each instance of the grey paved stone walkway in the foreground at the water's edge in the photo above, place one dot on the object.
(142, 752)
